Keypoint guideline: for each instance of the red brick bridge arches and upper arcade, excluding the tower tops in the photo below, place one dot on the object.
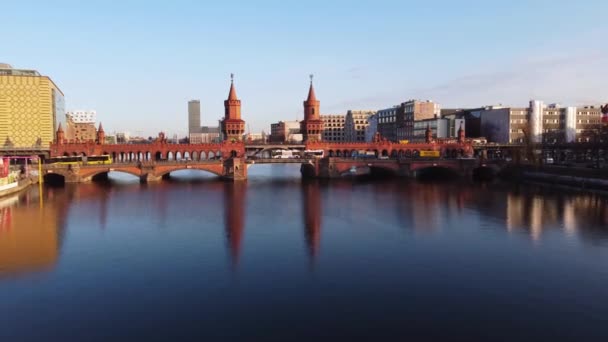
(153, 161)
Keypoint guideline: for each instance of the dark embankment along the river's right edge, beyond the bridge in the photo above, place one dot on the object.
(579, 178)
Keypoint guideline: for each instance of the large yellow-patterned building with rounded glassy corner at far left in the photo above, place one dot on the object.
(32, 108)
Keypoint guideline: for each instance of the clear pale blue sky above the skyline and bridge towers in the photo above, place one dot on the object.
(138, 63)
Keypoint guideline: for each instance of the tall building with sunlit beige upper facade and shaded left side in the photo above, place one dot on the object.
(411, 111)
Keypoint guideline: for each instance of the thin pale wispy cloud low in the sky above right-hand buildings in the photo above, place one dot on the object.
(571, 79)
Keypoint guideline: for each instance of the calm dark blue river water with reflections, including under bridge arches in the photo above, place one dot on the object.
(278, 259)
